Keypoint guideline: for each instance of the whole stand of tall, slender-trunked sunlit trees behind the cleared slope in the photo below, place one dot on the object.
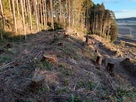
(28, 16)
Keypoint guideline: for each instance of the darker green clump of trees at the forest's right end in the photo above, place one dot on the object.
(102, 22)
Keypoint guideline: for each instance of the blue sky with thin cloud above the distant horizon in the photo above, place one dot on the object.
(121, 8)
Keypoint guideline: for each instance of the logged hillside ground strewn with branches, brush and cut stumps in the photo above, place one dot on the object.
(53, 67)
